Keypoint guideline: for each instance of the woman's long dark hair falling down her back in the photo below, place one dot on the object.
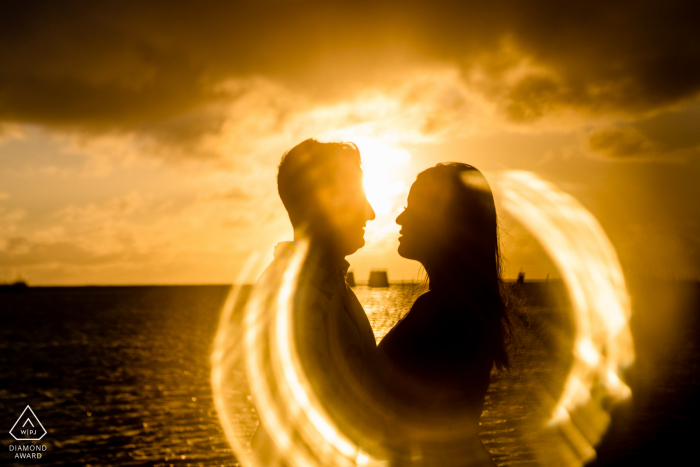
(467, 257)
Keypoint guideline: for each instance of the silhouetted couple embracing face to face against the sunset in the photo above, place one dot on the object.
(416, 397)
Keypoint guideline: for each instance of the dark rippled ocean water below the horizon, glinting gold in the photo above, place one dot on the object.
(120, 375)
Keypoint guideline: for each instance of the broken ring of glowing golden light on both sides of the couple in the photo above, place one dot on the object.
(255, 357)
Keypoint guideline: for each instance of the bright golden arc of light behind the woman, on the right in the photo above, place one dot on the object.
(591, 270)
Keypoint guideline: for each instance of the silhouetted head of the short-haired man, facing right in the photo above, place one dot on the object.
(320, 185)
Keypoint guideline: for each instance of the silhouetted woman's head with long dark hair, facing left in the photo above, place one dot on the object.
(450, 227)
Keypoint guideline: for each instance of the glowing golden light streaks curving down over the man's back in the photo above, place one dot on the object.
(300, 431)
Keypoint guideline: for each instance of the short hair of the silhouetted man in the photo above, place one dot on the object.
(306, 169)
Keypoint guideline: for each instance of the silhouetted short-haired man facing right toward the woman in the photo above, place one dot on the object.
(321, 186)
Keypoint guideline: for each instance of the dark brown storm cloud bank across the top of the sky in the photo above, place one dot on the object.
(150, 66)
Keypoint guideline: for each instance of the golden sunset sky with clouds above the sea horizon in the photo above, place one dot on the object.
(139, 141)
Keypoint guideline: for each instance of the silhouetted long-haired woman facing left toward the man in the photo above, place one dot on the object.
(436, 362)
